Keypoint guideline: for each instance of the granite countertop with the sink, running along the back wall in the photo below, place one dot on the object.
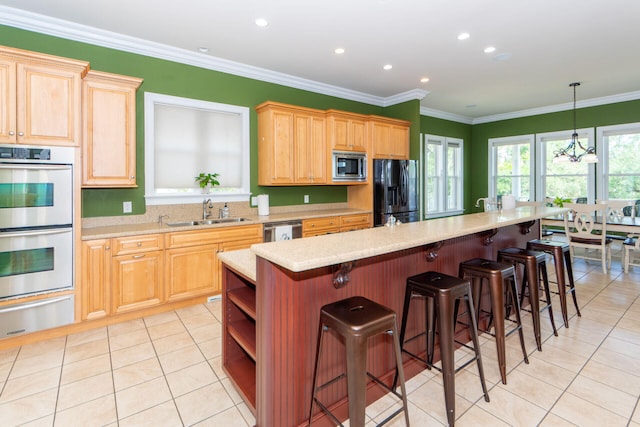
(123, 230)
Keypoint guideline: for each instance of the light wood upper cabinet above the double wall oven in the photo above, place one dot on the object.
(41, 98)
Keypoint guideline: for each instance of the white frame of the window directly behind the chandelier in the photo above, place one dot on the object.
(586, 137)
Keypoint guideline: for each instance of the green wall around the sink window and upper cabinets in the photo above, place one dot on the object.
(171, 78)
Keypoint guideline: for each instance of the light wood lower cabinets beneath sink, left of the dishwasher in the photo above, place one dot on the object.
(125, 274)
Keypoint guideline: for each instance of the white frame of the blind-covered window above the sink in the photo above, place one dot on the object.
(194, 195)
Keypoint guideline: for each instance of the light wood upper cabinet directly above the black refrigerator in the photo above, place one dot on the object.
(389, 138)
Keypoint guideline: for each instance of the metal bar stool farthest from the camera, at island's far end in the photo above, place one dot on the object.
(561, 260)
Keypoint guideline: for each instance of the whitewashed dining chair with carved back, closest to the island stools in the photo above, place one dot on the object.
(585, 226)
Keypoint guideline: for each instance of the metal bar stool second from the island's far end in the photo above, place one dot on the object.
(533, 262)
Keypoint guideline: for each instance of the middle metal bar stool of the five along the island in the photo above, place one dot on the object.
(500, 277)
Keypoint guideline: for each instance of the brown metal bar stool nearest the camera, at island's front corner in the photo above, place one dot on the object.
(357, 319)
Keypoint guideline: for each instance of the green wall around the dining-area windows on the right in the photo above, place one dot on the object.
(602, 115)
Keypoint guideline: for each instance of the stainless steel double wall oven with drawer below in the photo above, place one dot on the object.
(36, 236)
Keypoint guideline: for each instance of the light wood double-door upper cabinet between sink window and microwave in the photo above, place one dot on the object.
(288, 142)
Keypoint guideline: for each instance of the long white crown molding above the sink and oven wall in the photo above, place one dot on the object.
(82, 33)
